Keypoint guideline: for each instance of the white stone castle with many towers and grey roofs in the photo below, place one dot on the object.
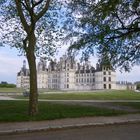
(68, 74)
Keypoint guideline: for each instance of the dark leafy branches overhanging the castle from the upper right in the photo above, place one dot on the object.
(109, 26)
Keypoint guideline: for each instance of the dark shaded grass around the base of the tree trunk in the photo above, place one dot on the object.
(17, 111)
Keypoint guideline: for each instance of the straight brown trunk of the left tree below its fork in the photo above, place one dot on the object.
(33, 97)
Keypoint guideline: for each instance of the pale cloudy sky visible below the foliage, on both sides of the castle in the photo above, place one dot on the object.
(11, 63)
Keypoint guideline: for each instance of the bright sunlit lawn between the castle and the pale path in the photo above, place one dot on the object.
(106, 95)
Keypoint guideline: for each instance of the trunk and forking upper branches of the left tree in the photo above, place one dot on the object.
(27, 8)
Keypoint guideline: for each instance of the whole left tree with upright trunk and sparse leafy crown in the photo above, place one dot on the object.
(29, 25)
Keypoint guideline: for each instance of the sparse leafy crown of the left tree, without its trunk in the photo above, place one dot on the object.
(47, 31)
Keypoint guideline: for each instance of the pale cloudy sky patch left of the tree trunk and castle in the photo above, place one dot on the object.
(10, 64)
